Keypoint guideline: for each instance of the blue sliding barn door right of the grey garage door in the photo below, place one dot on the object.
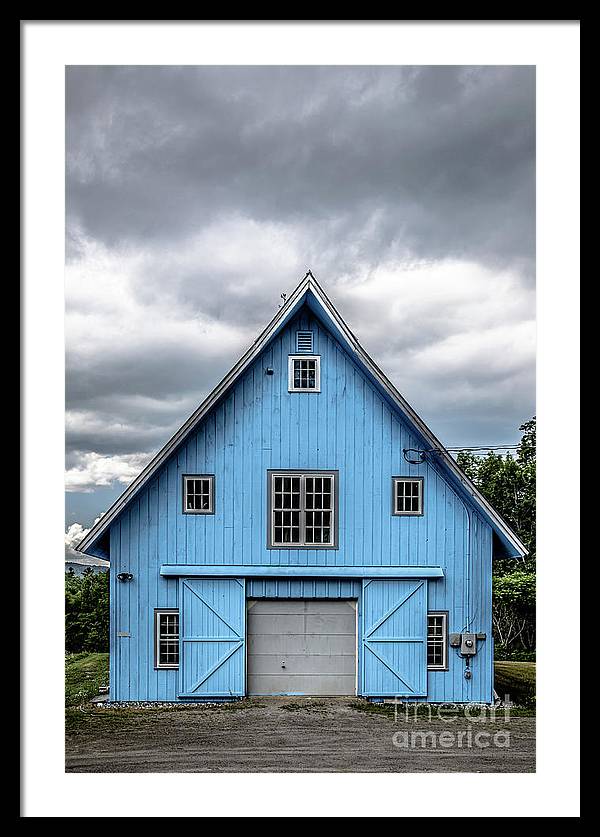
(394, 638)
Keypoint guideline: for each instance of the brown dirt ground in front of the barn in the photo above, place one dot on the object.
(298, 735)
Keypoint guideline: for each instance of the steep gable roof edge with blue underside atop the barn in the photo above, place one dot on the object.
(310, 292)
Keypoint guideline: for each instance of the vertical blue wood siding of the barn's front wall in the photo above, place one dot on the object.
(258, 426)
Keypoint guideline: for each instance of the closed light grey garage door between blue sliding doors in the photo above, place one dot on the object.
(303, 647)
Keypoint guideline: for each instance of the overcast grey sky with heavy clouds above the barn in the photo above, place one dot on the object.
(197, 195)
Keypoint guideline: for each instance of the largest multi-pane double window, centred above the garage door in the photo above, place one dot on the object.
(303, 509)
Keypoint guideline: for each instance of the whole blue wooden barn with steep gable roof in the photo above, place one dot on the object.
(302, 533)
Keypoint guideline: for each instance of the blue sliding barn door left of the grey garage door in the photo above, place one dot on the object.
(212, 631)
